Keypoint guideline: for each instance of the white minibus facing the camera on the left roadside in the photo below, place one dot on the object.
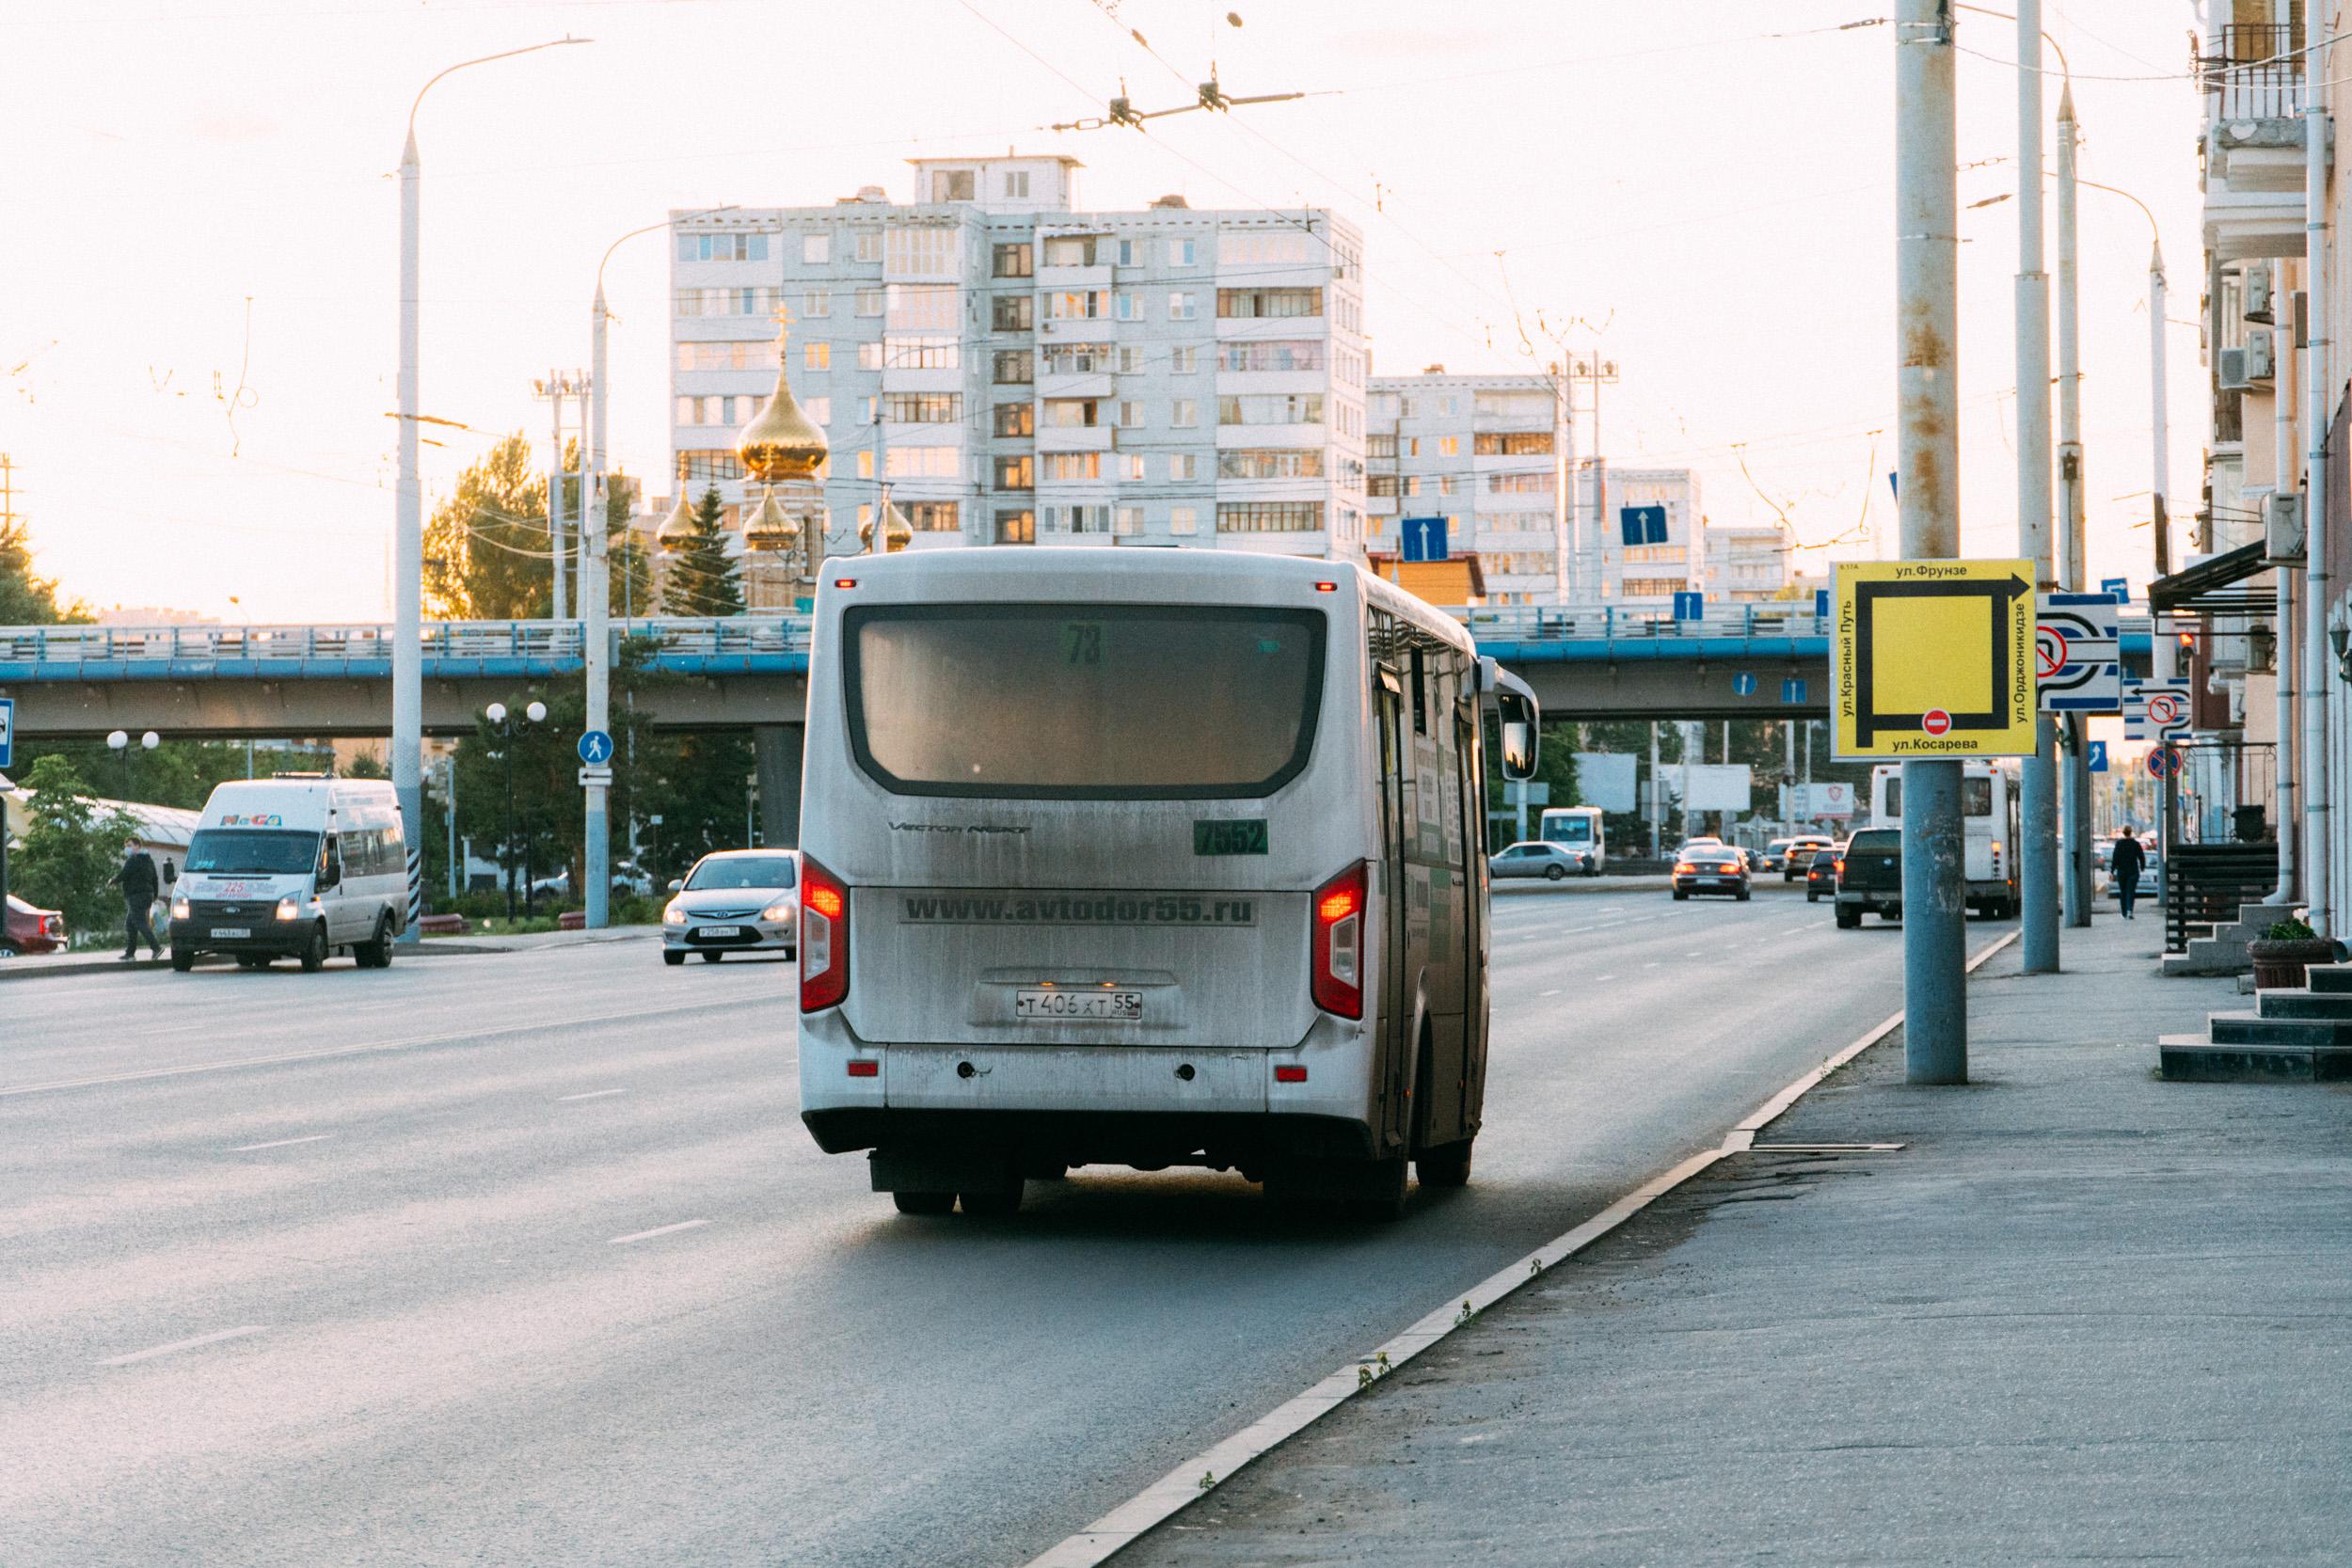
(295, 866)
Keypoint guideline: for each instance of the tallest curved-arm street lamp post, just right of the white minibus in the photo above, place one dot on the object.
(408, 518)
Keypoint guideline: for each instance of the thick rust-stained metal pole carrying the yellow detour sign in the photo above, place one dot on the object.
(1927, 389)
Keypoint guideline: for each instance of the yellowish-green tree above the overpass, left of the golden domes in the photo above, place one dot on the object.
(488, 554)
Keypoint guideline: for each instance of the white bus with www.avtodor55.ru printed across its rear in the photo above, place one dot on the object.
(1149, 859)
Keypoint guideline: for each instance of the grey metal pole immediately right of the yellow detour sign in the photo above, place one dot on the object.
(2038, 859)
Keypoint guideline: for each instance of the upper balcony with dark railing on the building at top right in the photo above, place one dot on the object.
(2254, 145)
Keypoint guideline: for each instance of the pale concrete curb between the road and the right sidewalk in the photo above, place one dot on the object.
(1203, 1473)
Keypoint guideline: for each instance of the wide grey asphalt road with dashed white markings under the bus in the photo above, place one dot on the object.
(526, 1259)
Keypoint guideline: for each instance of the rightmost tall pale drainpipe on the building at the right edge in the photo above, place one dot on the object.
(2316, 443)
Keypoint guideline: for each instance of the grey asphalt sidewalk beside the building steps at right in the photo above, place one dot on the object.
(2078, 1315)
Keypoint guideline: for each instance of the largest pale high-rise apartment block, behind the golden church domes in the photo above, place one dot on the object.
(1027, 373)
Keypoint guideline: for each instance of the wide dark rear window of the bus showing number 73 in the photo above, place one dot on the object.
(1083, 702)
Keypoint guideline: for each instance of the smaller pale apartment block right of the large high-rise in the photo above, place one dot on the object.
(1488, 455)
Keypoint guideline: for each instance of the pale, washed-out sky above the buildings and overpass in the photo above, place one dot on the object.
(1699, 189)
